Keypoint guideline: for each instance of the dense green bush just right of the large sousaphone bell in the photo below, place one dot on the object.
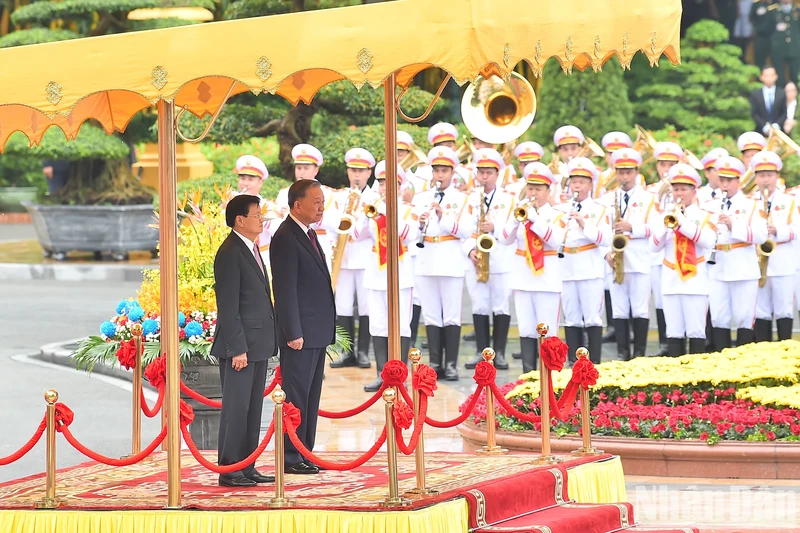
(595, 102)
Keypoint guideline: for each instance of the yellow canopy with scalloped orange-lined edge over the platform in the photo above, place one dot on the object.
(111, 78)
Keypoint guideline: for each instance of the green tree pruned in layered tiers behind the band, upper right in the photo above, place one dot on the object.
(706, 93)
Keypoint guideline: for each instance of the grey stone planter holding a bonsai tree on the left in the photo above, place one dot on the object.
(93, 228)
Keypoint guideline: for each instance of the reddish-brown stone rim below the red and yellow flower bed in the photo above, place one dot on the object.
(651, 457)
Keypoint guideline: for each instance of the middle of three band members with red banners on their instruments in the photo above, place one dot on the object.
(535, 277)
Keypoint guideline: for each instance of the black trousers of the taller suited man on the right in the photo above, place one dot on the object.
(301, 371)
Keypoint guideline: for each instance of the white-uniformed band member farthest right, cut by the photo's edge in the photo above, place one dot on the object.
(775, 297)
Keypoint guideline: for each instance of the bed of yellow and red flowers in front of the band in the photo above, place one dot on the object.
(749, 393)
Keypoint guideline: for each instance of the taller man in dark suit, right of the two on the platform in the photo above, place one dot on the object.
(306, 313)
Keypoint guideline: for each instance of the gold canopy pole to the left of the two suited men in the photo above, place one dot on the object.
(168, 264)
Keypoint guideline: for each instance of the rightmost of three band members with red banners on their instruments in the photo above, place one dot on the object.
(686, 247)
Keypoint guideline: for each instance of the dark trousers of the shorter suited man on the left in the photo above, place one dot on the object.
(240, 418)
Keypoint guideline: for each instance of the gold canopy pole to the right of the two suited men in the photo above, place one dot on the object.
(392, 236)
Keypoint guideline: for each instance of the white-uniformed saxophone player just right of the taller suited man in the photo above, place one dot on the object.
(356, 255)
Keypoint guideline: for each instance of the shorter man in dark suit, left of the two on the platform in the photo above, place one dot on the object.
(245, 338)
